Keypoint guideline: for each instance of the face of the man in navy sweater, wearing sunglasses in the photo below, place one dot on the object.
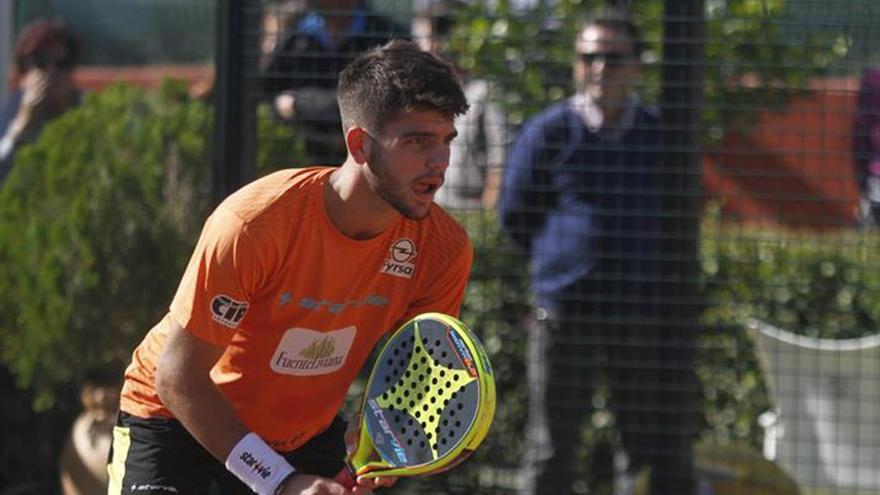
(607, 67)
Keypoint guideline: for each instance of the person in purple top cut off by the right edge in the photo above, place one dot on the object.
(866, 148)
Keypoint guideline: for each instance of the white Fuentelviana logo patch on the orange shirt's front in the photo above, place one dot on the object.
(304, 352)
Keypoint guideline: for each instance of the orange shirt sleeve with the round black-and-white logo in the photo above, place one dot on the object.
(218, 285)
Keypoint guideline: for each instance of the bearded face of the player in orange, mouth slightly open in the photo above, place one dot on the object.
(407, 161)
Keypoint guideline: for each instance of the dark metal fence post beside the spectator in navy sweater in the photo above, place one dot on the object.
(681, 101)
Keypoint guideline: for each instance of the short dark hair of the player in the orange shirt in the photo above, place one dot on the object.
(395, 77)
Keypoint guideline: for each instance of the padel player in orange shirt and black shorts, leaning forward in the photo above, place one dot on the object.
(294, 280)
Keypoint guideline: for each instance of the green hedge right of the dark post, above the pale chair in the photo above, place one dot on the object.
(815, 285)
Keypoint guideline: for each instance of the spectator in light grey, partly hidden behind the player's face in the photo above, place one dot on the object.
(474, 173)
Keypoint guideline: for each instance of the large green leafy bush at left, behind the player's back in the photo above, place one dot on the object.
(97, 220)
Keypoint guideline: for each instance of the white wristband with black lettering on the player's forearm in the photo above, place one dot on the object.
(257, 465)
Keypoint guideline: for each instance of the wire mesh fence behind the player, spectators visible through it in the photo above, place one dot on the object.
(676, 245)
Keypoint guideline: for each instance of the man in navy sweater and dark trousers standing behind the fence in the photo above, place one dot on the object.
(582, 194)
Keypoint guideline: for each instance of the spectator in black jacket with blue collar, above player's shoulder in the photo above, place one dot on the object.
(300, 75)
